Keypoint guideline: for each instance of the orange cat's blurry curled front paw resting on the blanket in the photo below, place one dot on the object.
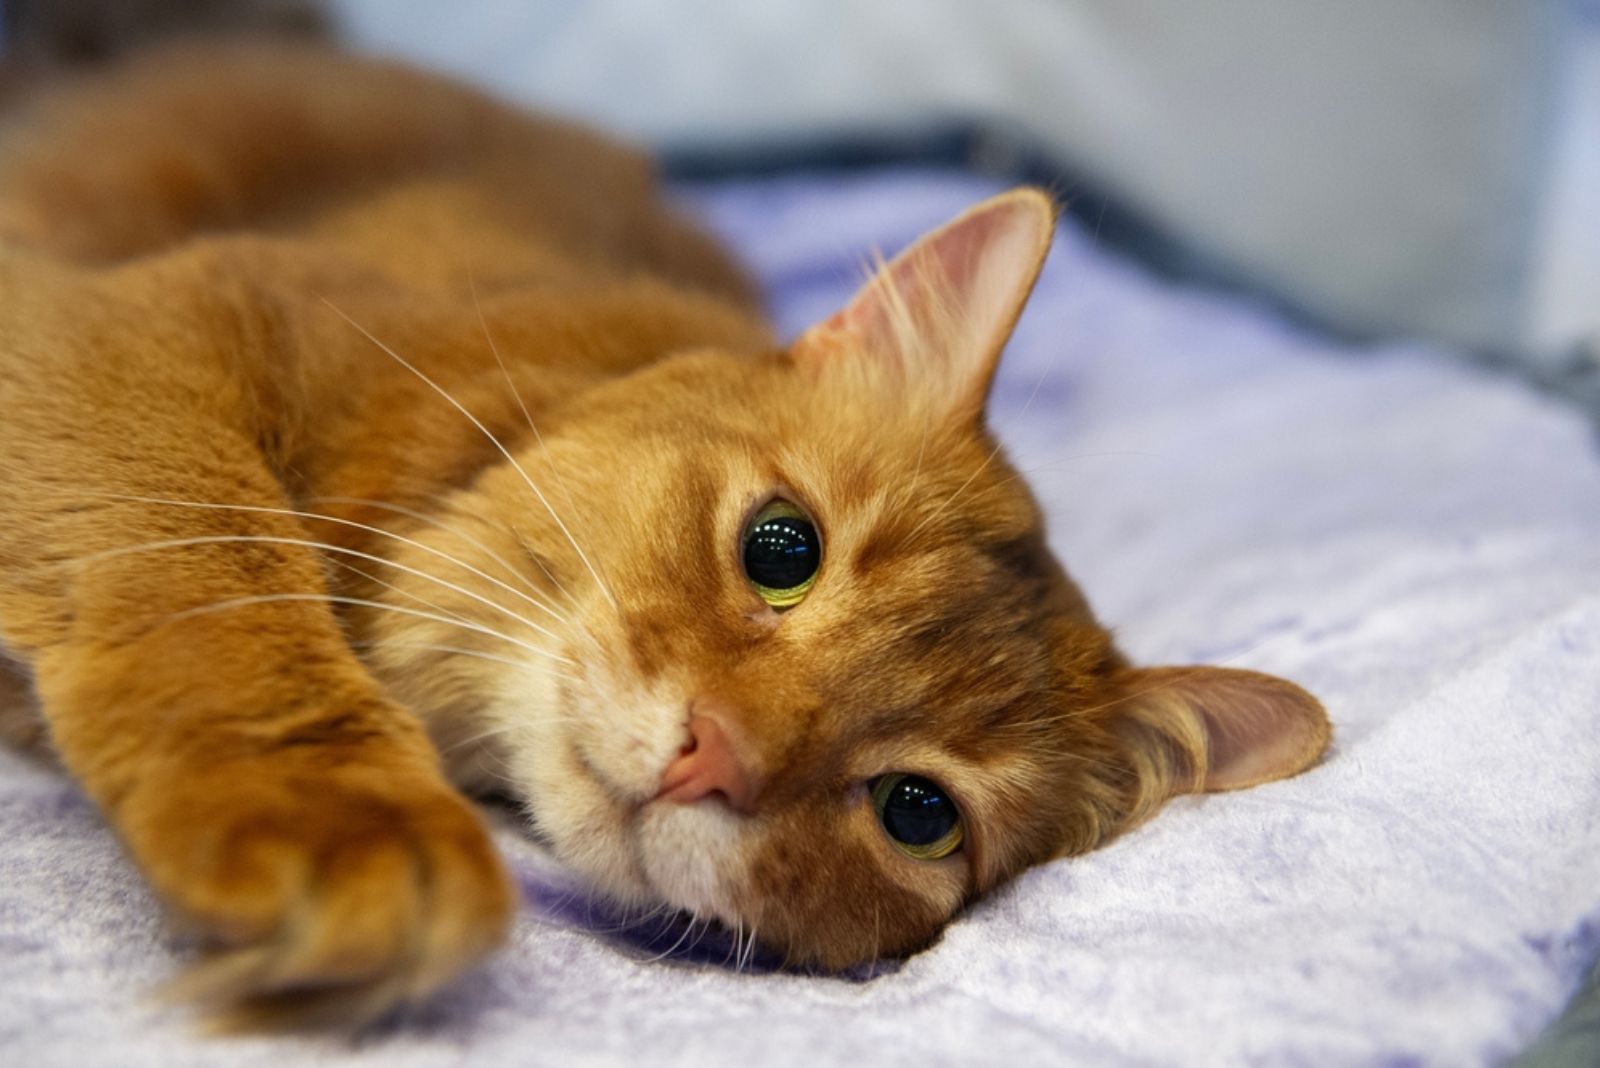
(327, 893)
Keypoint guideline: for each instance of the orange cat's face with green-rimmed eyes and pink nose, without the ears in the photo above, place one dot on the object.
(937, 639)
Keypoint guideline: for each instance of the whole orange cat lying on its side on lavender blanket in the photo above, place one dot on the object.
(369, 445)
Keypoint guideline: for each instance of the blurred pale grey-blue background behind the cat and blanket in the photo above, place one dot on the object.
(1385, 170)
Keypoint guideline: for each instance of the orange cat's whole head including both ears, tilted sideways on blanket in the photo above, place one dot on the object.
(806, 663)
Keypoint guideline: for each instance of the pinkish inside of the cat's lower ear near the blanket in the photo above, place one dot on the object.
(1258, 727)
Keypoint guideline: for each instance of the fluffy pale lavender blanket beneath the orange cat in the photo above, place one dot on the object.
(1414, 543)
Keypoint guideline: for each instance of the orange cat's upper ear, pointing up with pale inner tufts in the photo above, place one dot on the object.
(938, 316)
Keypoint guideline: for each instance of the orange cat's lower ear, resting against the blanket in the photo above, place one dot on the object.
(1207, 728)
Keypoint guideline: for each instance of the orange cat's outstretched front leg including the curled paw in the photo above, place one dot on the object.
(198, 683)
